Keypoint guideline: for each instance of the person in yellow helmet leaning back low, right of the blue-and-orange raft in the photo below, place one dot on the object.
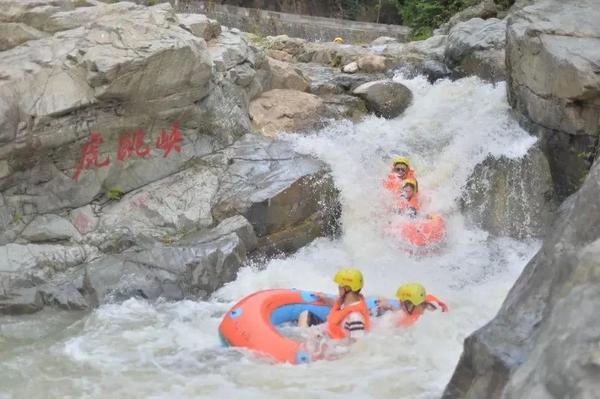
(414, 301)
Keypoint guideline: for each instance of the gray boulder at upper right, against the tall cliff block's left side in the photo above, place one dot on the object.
(476, 47)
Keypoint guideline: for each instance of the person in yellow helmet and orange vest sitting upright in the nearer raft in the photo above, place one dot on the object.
(349, 316)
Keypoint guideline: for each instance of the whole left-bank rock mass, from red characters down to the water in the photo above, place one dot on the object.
(128, 164)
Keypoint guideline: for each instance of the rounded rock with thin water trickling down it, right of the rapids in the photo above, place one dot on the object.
(511, 197)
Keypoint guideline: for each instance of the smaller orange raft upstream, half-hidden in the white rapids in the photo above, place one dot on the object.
(420, 233)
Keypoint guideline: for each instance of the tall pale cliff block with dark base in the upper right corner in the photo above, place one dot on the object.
(552, 59)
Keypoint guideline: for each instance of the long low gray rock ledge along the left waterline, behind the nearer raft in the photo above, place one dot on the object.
(192, 268)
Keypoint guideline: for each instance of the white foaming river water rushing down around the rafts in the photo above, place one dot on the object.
(140, 349)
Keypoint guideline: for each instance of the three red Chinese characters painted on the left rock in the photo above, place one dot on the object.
(130, 144)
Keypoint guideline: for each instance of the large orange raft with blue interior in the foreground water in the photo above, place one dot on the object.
(252, 323)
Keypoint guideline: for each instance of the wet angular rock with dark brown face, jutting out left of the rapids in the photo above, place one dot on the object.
(275, 196)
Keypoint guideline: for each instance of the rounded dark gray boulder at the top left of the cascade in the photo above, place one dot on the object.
(384, 97)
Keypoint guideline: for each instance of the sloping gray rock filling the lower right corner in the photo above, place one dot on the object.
(544, 340)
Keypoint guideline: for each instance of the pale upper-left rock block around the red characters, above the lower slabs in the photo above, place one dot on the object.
(103, 80)
